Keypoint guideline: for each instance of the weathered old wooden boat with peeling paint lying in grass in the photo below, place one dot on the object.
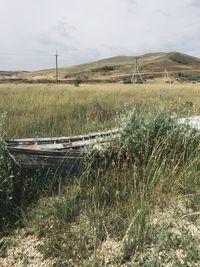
(63, 154)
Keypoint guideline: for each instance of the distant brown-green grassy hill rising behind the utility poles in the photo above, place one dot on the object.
(116, 68)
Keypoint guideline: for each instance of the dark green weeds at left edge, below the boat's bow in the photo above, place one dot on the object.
(19, 188)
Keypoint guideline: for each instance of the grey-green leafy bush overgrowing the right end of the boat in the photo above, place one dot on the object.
(147, 137)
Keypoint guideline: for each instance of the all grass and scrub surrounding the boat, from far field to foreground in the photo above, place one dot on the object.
(137, 200)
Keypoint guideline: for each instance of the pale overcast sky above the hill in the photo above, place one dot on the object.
(87, 30)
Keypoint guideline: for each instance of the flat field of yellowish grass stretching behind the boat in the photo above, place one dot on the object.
(56, 110)
